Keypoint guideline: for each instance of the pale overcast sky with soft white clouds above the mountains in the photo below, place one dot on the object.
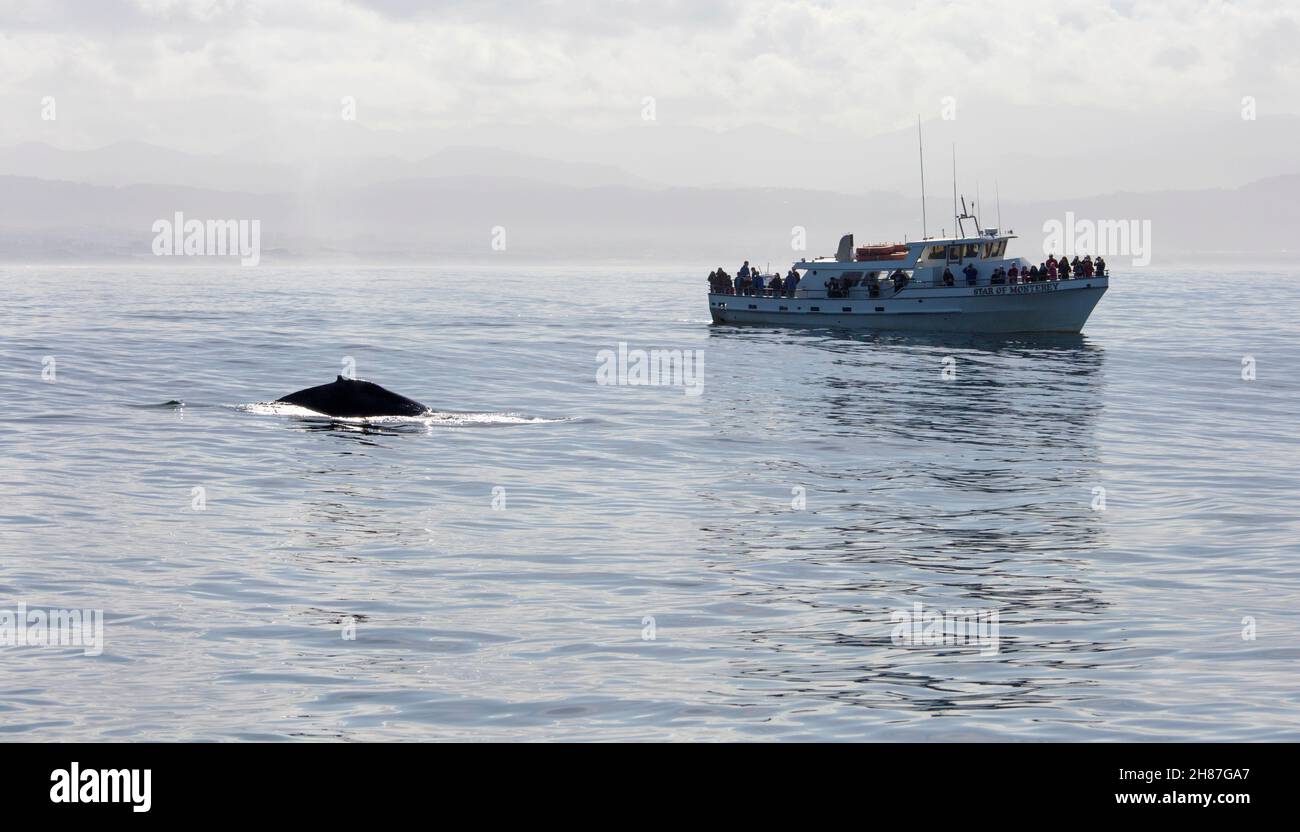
(213, 75)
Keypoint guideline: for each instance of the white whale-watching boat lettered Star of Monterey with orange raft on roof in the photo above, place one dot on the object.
(903, 288)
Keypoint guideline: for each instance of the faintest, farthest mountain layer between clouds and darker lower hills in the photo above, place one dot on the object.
(1019, 151)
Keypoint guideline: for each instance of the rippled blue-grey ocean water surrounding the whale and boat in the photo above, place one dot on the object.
(548, 557)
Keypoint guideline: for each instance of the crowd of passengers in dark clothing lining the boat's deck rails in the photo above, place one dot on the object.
(752, 284)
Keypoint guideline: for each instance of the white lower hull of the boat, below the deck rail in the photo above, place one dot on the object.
(1051, 307)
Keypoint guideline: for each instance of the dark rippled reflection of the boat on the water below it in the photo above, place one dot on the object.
(959, 493)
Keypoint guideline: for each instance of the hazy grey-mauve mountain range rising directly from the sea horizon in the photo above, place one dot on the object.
(102, 205)
